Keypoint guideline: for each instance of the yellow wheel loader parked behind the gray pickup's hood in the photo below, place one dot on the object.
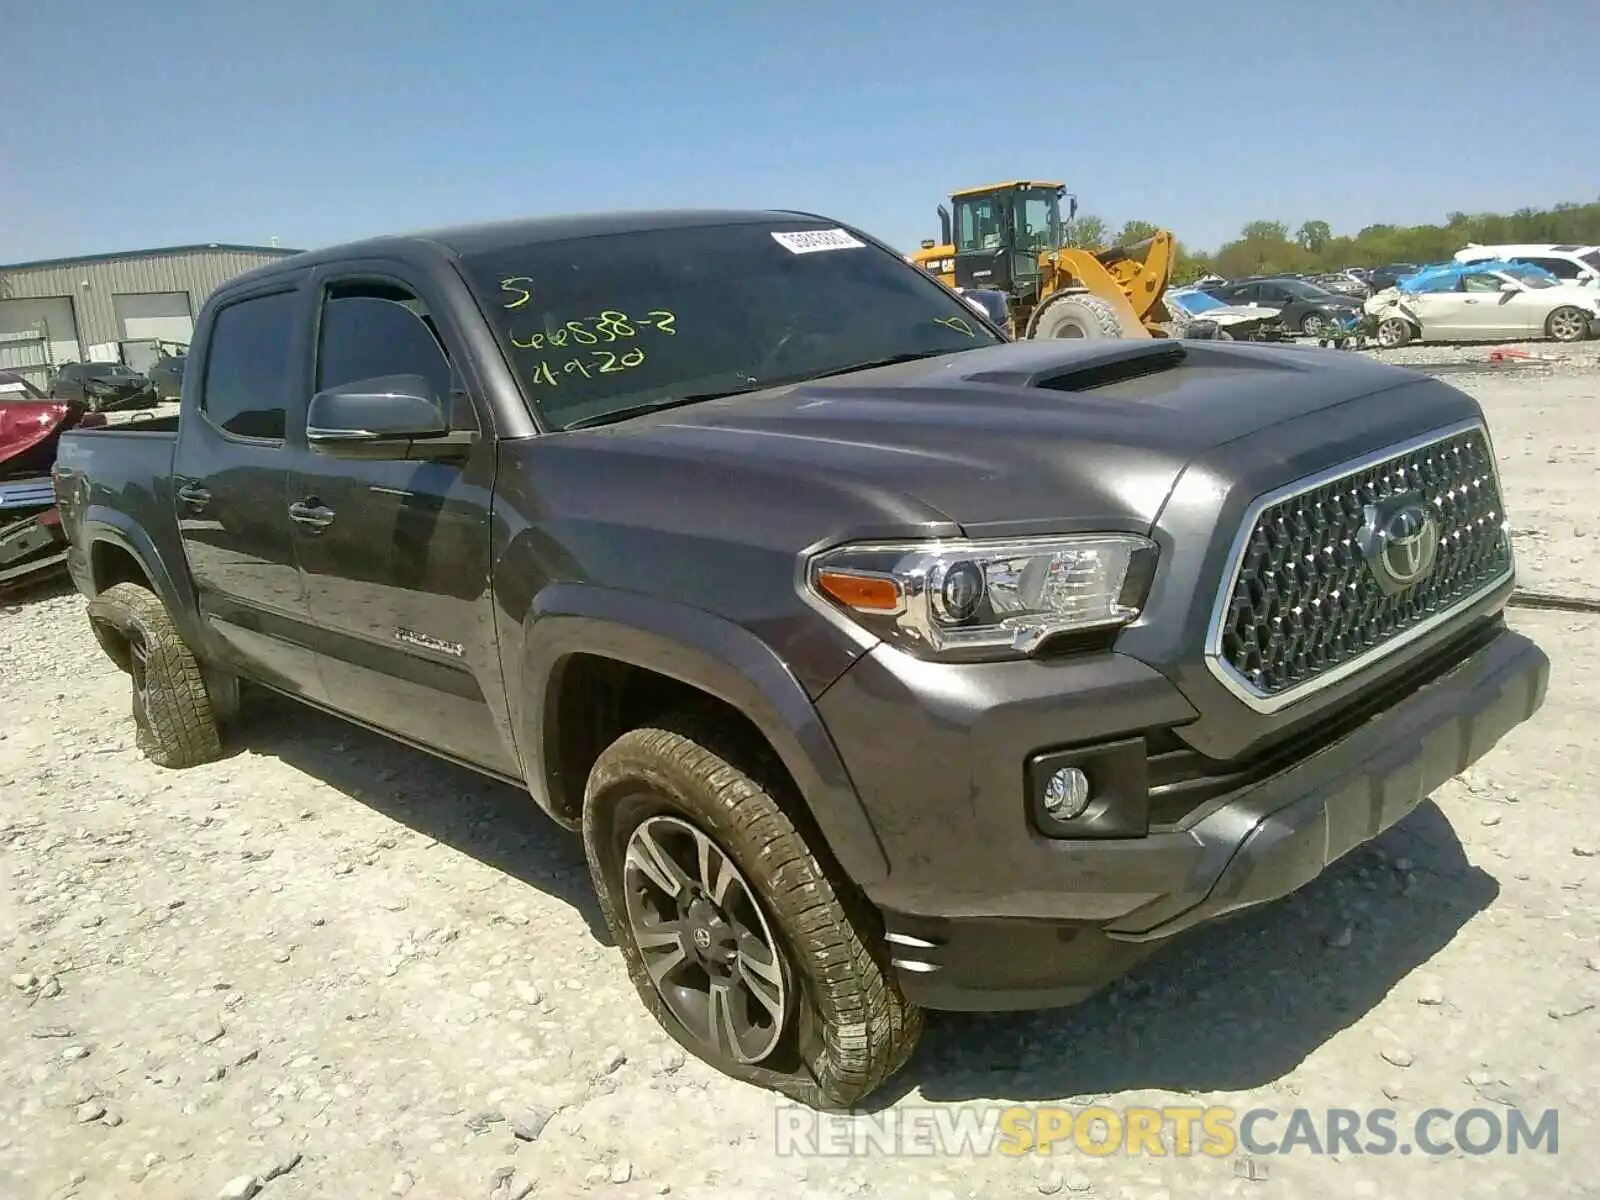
(1009, 239)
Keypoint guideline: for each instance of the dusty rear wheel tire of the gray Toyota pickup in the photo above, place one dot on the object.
(175, 721)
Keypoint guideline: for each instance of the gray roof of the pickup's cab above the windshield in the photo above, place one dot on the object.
(487, 238)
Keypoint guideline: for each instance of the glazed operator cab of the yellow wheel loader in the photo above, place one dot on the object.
(999, 234)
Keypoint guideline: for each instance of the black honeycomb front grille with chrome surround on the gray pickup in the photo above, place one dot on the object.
(1310, 598)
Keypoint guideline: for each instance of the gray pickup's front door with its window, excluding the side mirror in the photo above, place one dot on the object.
(396, 554)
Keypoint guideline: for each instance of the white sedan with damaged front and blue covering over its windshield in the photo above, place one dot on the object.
(1470, 303)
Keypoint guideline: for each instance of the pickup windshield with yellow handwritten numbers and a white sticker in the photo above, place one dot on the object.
(606, 324)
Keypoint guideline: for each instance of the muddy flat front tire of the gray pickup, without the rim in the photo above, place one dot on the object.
(850, 1030)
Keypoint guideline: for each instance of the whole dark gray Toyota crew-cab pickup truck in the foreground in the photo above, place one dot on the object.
(882, 663)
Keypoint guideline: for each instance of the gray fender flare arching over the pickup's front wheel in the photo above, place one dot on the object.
(708, 654)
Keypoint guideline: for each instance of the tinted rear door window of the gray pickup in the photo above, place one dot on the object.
(249, 367)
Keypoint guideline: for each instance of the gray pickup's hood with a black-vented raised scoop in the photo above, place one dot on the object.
(1009, 439)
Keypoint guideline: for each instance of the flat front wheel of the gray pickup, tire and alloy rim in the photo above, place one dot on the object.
(738, 940)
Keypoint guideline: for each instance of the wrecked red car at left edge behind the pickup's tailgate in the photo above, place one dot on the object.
(31, 538)
